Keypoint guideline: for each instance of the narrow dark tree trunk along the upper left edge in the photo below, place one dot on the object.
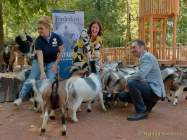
(1, 26)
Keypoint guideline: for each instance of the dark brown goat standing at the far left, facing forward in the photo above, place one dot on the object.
(9, 57)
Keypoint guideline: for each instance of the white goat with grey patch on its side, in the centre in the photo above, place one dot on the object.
(83, 90)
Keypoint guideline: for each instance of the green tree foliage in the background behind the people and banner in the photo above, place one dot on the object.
(22, 15)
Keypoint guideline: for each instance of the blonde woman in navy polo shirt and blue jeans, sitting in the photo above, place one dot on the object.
(49, 51)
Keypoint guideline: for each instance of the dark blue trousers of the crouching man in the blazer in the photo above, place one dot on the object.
(140, 94)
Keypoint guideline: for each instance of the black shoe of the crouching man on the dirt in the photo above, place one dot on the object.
(137, 116)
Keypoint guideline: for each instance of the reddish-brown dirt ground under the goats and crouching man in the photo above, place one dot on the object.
(166, 122)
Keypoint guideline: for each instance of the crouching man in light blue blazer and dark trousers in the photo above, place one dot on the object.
(146, 85)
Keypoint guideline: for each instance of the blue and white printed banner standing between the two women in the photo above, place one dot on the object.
(68, 24)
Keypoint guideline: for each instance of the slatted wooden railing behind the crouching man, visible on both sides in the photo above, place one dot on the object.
(168, 56)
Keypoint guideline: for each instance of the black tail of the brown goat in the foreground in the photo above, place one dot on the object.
(54, 95)
